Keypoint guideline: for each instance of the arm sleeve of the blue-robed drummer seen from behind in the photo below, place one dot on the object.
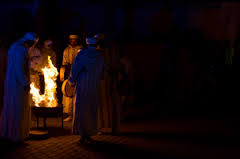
(76, 69)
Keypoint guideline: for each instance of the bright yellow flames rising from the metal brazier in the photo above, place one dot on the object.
(48, 99)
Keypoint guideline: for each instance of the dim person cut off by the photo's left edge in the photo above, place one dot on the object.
(3, 68)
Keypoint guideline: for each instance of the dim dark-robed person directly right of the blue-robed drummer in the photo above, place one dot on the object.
(109, 99)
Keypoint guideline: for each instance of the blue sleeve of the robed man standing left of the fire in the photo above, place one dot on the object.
(20, 73)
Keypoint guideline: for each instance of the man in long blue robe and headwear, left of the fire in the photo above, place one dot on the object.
(15, 117)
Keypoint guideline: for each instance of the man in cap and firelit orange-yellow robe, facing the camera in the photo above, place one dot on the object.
(69, 55)
